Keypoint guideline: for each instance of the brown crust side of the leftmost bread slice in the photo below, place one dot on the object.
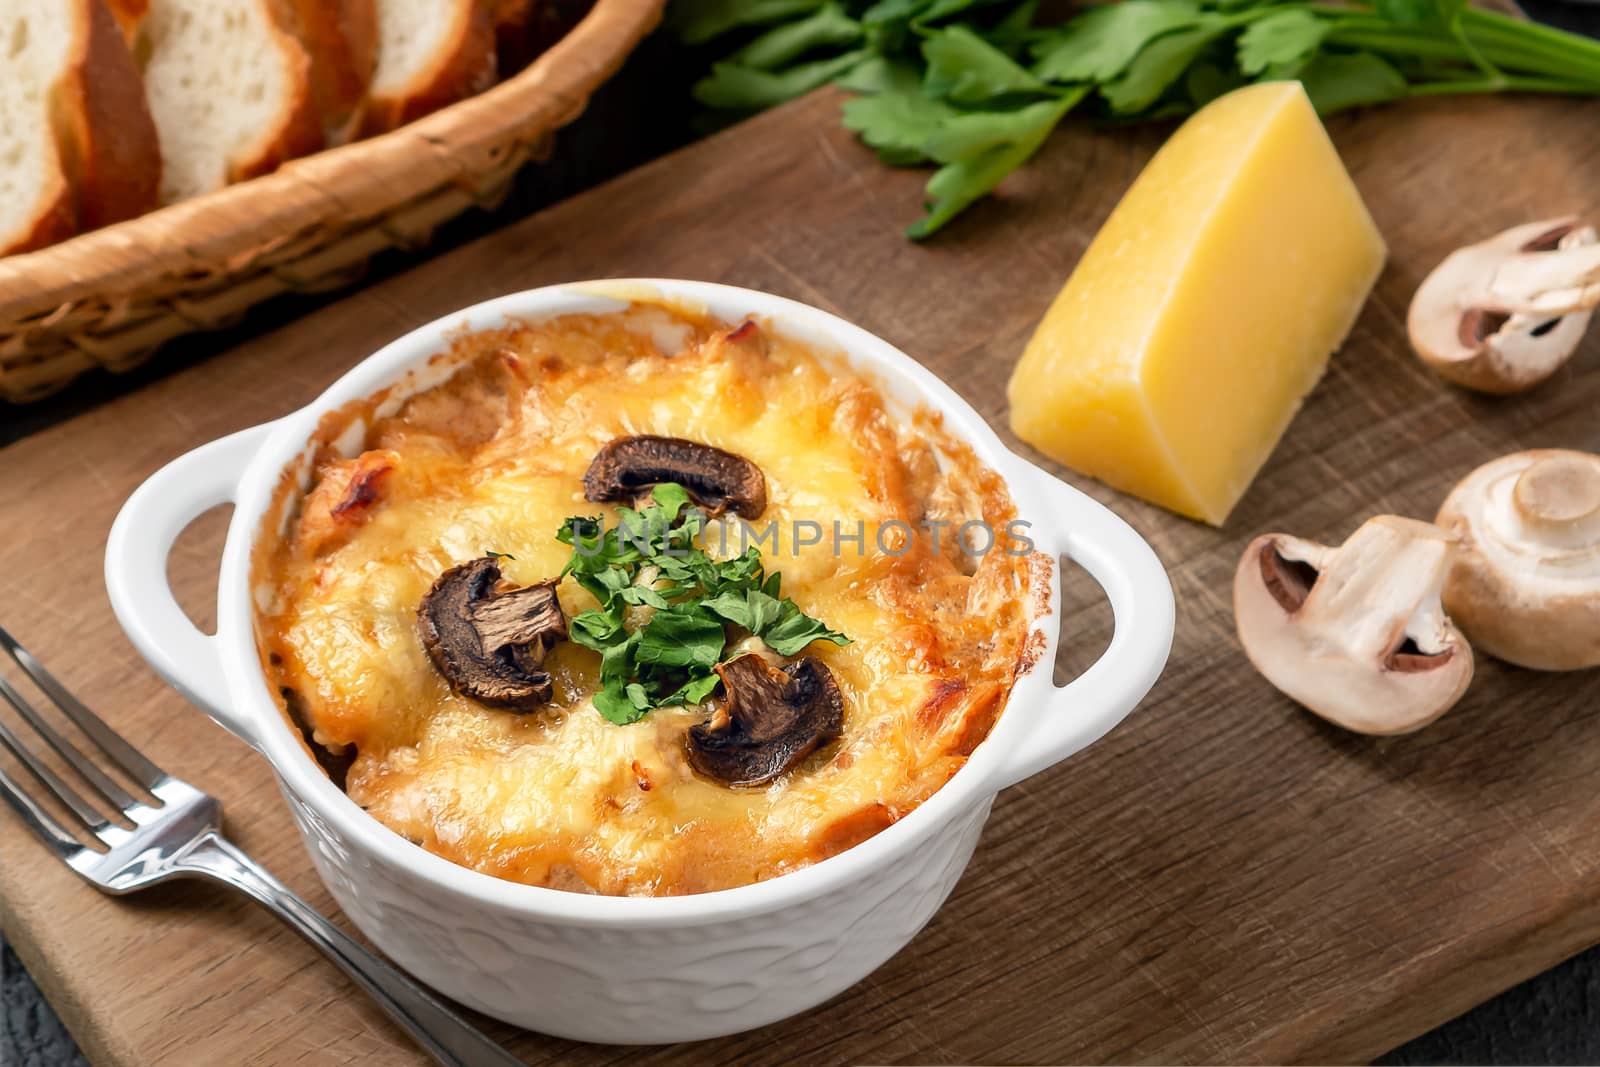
(105, 127)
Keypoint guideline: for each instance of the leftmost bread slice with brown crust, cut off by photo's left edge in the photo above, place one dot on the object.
(78, 148)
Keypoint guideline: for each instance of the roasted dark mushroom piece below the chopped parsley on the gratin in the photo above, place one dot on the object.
(774, 719)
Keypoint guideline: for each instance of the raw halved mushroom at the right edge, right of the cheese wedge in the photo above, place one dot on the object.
(1505, 314)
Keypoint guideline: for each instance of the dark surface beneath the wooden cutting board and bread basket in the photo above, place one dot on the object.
(1550, 1020)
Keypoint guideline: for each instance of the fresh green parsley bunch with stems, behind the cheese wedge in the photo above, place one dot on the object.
(975, 87)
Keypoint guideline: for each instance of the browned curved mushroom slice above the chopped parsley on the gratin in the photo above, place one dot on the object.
(719, 481)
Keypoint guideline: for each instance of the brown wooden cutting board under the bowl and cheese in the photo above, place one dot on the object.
(1225, 879)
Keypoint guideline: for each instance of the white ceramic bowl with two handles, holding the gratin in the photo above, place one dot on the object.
(634, 970)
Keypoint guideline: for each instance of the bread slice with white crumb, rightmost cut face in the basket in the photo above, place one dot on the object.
(431, 54)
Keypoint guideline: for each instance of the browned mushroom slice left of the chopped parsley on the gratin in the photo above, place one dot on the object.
(490, 644)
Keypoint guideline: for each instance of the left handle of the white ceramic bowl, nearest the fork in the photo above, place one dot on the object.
(137, 554)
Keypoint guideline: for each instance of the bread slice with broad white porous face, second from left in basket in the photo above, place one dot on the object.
(230, 87)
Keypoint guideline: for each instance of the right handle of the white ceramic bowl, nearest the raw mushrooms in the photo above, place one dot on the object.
(1142, 601)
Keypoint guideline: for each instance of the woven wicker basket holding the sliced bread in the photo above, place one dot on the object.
(116, 295)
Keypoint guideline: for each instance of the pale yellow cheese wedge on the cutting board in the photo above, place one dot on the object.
(1206, 310)
